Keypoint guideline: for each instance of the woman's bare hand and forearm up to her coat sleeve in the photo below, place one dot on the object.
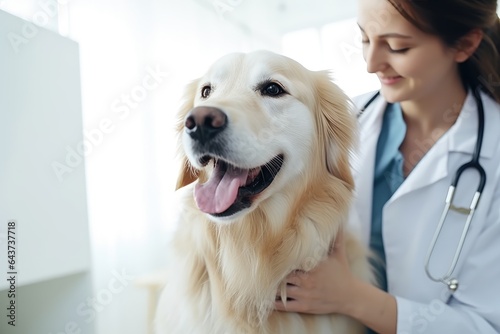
(332, 288)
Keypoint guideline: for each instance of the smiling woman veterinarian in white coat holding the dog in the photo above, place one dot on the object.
(439, 68)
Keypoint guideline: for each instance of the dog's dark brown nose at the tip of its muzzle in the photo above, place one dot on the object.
(204, 123)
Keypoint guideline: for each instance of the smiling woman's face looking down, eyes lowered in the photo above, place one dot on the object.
(409, 63)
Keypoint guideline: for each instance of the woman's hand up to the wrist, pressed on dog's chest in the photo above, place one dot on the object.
(325, 289)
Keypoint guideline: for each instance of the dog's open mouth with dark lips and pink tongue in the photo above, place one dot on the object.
(230, 188)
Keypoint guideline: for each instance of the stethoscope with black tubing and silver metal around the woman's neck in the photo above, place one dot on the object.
(448, 278)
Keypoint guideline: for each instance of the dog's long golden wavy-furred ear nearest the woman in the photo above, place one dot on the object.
(337, 125)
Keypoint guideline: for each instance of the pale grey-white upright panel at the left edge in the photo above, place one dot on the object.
(40, 117)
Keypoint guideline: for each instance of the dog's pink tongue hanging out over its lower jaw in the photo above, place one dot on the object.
(220, 191)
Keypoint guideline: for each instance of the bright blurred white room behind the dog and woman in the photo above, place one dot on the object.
(88, 94)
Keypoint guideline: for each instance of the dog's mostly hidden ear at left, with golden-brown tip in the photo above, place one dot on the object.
(187, 174)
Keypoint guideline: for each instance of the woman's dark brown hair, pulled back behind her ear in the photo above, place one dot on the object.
(453, 19)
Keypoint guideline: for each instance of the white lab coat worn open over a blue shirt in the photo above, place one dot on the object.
(411, 216)
